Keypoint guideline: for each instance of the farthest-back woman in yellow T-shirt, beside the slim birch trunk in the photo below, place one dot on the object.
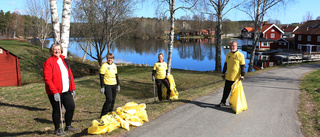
(159, 75)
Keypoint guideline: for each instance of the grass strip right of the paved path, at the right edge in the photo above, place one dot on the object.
(309, 106)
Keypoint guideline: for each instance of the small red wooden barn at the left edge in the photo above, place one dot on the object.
(10, 69)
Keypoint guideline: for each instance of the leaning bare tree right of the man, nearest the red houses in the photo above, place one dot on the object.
(257, 9)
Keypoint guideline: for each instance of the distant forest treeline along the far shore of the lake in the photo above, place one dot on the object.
(22, 26)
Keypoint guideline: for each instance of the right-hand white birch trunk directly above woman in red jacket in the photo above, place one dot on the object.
(65, 32)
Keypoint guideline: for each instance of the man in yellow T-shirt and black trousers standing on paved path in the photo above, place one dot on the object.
(235, 68)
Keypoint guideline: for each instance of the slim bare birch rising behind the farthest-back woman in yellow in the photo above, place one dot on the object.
(186, 5)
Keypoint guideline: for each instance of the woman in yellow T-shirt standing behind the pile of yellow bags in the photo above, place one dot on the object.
(109, 82)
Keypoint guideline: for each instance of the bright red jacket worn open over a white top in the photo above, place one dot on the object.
(52, 76)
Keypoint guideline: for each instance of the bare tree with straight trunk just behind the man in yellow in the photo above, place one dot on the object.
(218, 7)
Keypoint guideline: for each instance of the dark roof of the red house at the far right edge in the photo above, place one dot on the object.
(309, 27)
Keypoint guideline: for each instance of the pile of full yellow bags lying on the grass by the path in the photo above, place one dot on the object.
(129, 114)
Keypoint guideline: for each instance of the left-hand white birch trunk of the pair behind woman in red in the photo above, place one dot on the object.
(55, 21)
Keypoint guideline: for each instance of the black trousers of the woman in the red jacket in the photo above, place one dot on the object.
(68, 103)
